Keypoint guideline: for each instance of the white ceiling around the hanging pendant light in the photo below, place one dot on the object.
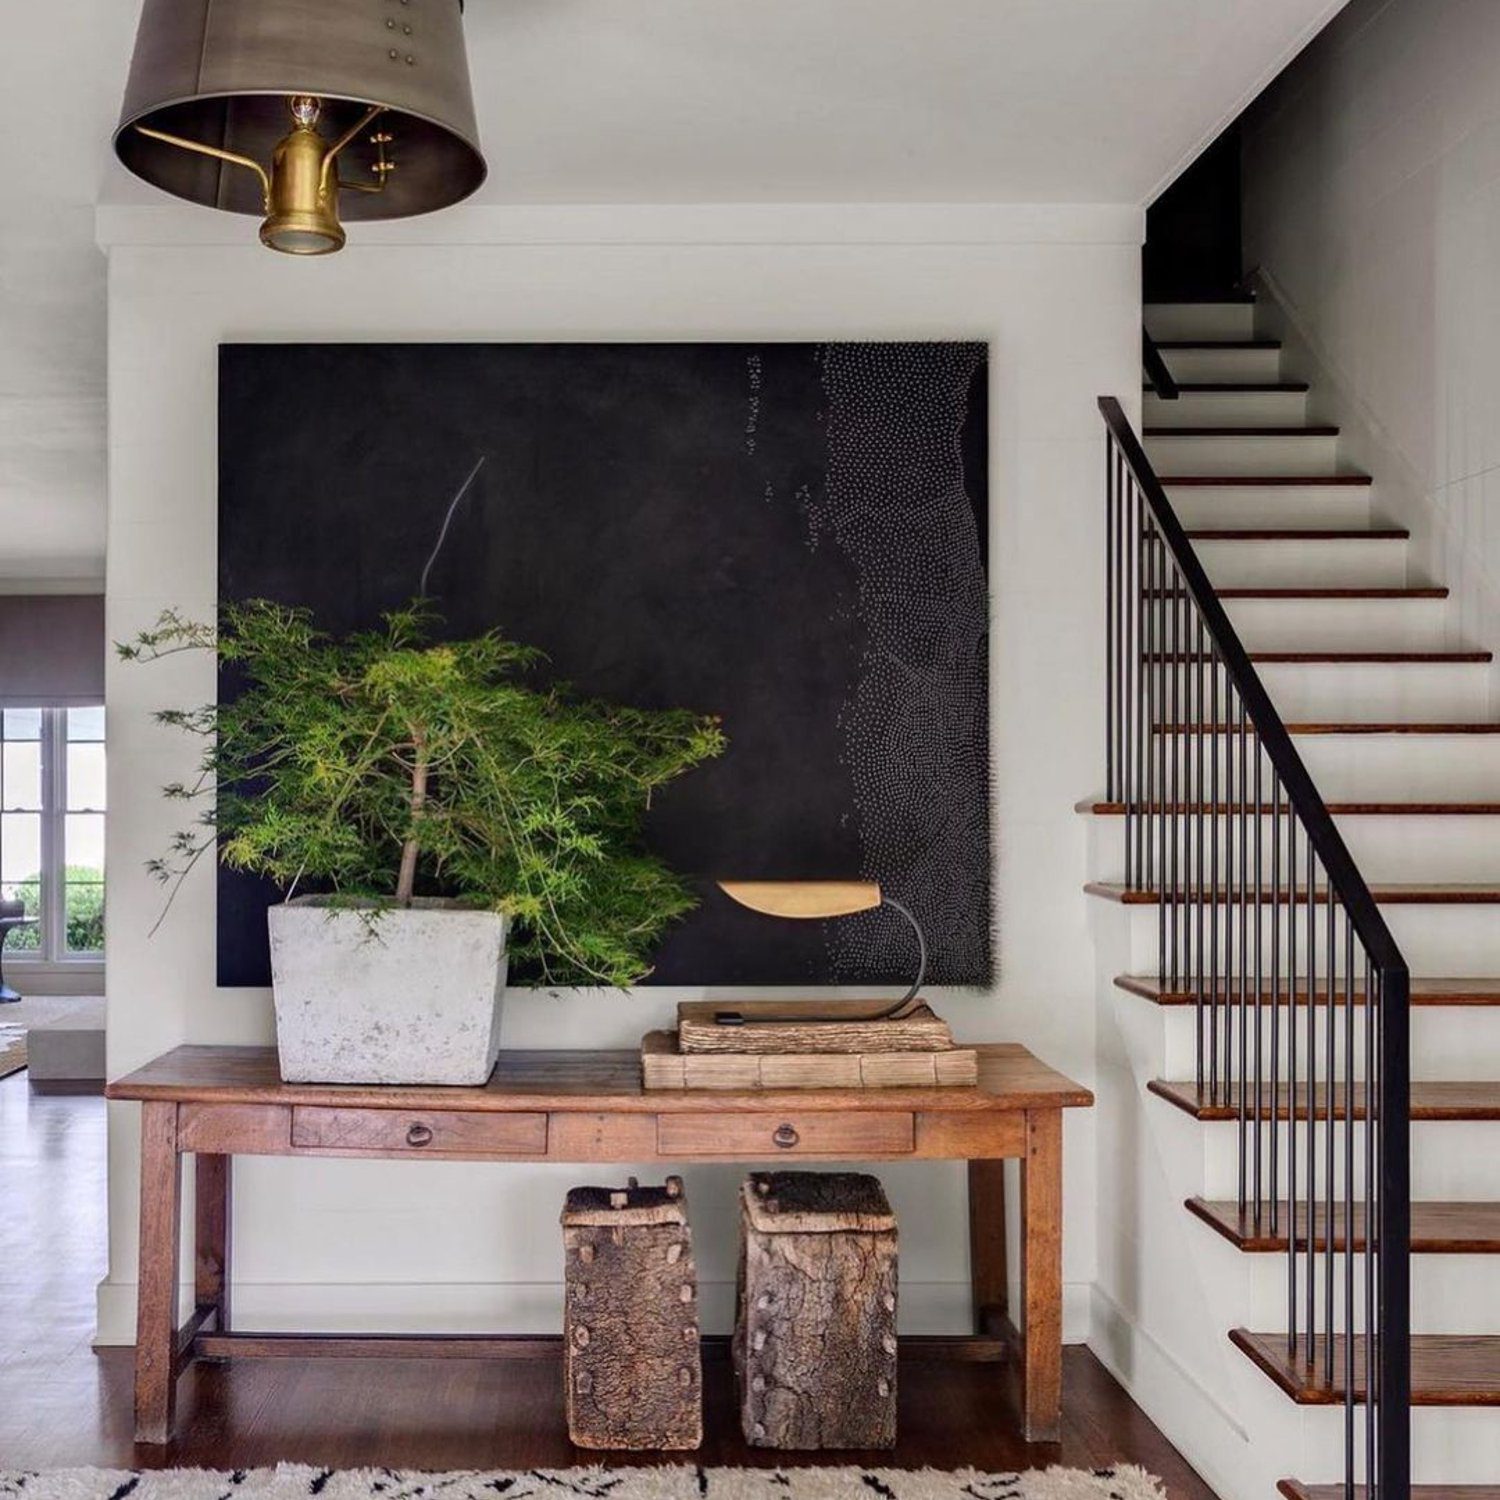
(632, 101)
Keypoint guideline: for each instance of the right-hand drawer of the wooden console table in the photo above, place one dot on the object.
(802, 1133)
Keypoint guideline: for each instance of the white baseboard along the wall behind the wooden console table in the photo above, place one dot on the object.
(494, 1307)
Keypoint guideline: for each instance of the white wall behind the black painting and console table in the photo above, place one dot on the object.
(1055, 290)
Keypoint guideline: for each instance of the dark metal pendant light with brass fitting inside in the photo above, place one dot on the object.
(304, 113)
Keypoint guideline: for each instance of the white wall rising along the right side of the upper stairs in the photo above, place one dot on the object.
(1373, 212)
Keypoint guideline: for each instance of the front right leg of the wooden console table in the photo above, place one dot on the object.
(1042, 1274)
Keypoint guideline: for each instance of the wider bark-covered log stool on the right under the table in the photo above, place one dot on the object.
(815, 1328)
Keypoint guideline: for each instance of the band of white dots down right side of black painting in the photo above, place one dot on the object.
(917, 724)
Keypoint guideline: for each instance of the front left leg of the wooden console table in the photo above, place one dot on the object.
(157, 1280)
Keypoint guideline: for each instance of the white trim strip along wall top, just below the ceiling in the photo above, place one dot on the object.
(169, 223)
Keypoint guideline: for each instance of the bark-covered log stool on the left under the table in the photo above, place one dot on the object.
(634, 1372)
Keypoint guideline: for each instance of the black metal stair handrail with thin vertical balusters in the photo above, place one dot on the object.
(1201, 763)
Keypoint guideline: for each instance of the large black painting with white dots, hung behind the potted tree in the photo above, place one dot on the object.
(791, 536)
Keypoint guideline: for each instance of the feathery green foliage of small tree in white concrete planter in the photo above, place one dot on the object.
(386, 764)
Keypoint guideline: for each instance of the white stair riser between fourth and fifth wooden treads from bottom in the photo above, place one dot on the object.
(1448, 1042)
